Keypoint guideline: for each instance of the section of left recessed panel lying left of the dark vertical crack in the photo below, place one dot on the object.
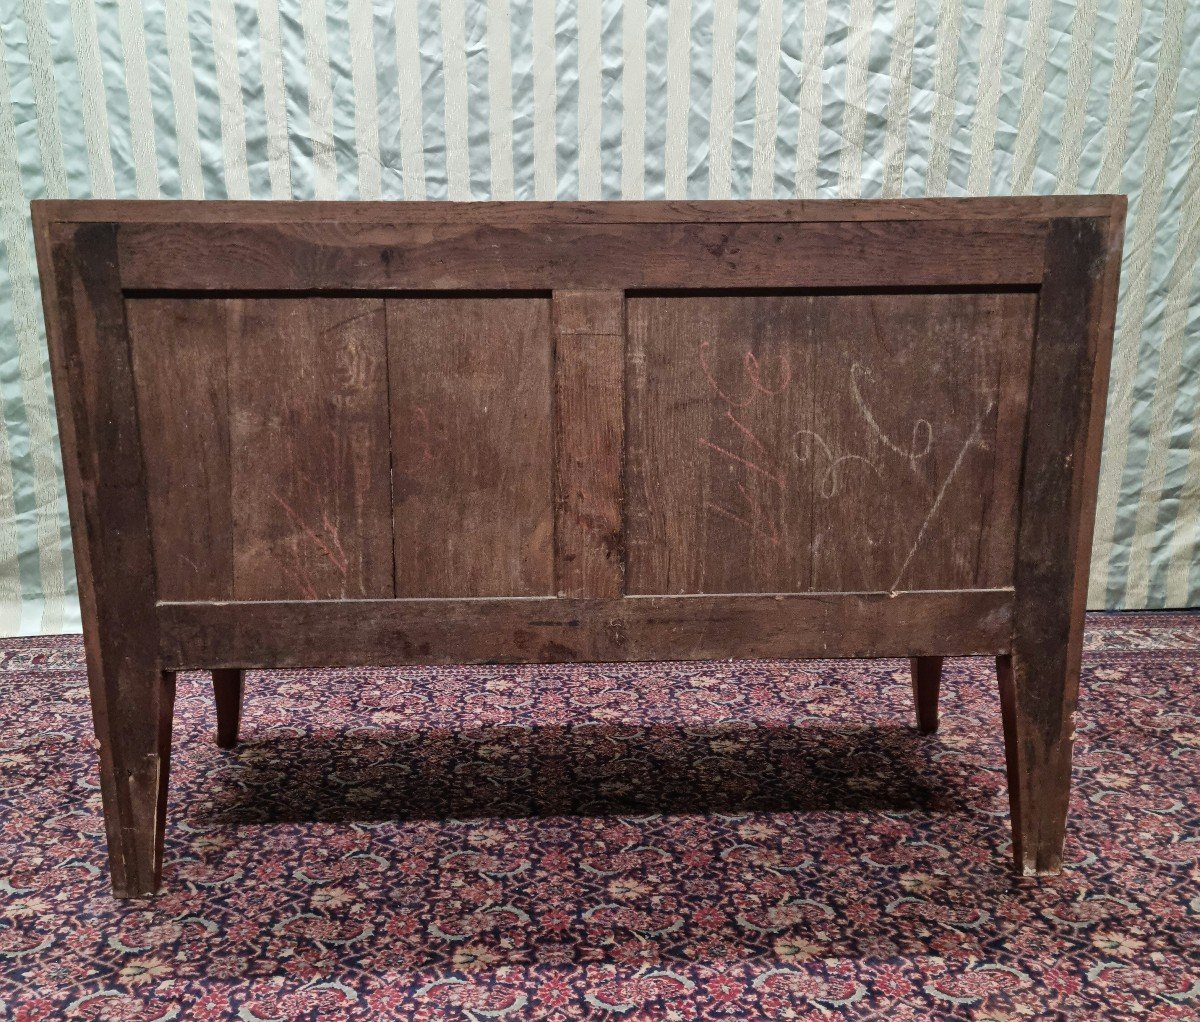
(266, 441)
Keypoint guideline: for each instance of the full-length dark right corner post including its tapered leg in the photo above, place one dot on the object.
(1040, 682)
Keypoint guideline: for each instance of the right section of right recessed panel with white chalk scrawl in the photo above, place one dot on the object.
(915, 453)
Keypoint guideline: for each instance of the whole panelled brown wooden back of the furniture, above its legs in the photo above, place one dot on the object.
(368, 434)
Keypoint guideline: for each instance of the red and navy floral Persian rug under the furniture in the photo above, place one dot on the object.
(670, 841)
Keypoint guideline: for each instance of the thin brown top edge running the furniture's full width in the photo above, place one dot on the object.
(621, 212)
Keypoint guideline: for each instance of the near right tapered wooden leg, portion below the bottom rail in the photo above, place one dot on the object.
(1039, 710)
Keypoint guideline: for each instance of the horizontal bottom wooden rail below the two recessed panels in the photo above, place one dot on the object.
(549, 630)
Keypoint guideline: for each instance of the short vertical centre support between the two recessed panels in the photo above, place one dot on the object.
(590, 441)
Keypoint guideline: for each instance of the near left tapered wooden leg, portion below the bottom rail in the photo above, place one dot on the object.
(133, 718)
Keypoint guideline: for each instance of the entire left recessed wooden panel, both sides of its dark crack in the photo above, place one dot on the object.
(346, 448)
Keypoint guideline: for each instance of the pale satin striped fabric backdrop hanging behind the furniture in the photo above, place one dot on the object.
(603, 99)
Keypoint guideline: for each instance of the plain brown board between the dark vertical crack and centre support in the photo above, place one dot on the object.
(471, 424)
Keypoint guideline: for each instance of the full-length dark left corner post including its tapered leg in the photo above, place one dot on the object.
(133, 699)
